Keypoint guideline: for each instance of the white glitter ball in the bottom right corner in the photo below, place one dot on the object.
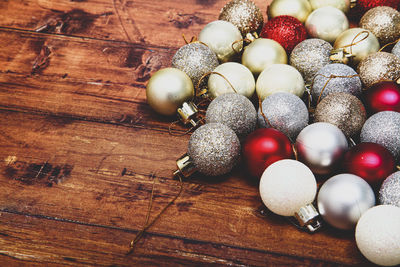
(378, 235)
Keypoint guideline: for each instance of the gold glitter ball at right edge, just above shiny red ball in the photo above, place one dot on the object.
(378, 67)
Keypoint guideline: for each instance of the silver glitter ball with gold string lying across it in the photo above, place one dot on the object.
(330, 79)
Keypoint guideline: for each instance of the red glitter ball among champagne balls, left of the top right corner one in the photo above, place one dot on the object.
(286, 30)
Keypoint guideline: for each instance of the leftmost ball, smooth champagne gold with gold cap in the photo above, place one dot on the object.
(167, 89)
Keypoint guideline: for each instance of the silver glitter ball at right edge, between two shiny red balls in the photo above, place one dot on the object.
(383, 128)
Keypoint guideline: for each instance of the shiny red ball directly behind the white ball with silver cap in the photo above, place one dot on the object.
(264, 147)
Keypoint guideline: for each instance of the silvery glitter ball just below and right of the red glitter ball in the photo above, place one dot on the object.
(310, 56)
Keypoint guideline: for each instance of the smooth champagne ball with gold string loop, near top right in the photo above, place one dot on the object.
(358, 42)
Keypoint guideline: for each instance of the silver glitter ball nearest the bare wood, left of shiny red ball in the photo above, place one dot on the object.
(214, 149)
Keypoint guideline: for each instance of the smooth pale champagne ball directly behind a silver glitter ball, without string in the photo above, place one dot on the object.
(279, 78)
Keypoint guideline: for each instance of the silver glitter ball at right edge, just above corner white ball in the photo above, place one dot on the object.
(389, 194)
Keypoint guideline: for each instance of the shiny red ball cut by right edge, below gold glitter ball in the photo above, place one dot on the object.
(383, 96)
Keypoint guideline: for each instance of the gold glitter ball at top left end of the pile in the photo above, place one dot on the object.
(244, 14)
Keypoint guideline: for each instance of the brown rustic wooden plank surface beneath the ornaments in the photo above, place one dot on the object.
(79, 146)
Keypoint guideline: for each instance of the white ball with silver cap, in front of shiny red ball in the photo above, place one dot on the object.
(286, 186)
